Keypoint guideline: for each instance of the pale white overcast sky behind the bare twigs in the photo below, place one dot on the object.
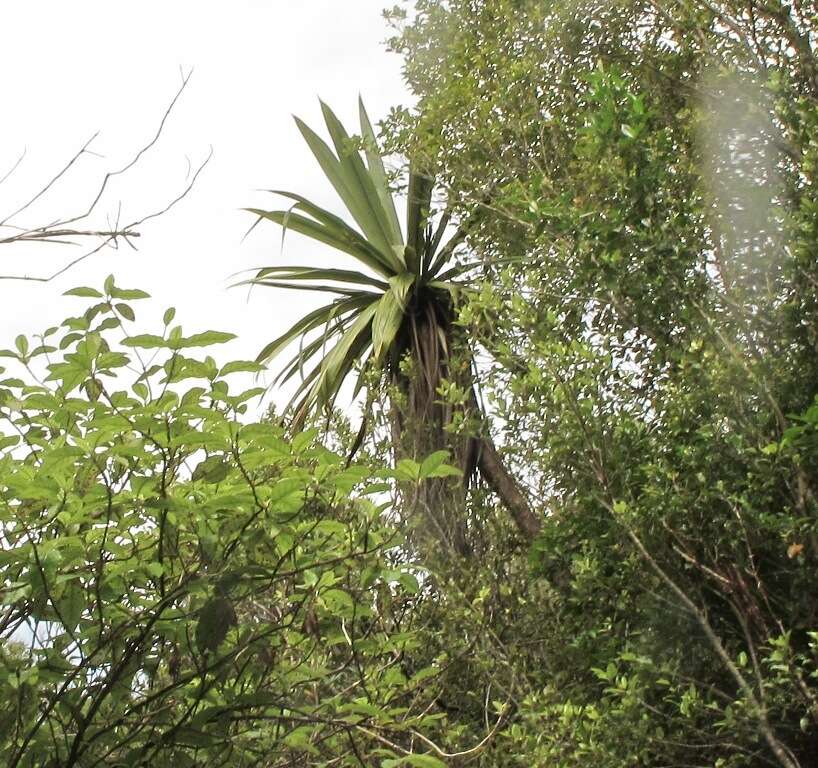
(72, 69)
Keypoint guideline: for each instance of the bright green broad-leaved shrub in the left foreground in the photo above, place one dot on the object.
(181, 585)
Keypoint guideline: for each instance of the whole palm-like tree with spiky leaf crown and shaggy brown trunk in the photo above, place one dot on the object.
(401, 302)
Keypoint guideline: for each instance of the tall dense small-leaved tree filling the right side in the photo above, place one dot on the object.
(645, 176)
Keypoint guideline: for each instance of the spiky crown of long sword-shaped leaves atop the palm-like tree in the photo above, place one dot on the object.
(405, 305)
